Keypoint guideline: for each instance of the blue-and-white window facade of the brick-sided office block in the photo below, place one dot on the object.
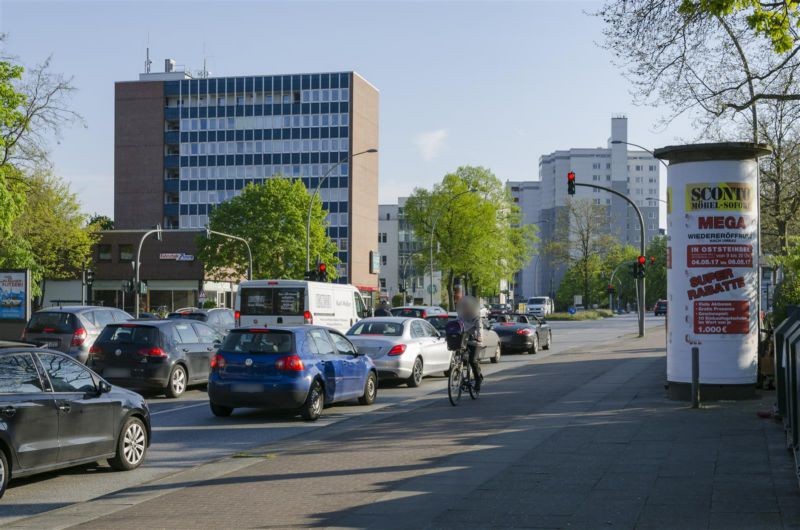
(224, 133)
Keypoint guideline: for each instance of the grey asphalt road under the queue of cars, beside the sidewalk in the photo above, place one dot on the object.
(186, 434)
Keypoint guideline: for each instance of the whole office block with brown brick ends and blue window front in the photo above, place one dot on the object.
(183, 145)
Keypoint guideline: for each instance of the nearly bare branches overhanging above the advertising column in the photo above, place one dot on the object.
(703, 58)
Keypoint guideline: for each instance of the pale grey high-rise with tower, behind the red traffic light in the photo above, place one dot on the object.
(632, 172)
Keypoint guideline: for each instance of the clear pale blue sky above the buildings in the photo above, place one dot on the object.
(495, 84)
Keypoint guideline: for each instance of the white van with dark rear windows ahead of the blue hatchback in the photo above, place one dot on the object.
(296, 302)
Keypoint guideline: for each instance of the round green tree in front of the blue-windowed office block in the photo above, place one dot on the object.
(272, 218)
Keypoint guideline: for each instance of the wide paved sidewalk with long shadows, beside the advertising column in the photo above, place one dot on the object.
(576, 440)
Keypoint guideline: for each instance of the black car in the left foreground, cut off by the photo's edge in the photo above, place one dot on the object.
(57, 413)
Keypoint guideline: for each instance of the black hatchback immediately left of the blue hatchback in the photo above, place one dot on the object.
(165, 356)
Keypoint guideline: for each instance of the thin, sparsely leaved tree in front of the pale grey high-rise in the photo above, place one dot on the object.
(580, 234)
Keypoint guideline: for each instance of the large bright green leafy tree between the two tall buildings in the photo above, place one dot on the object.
(476, 233)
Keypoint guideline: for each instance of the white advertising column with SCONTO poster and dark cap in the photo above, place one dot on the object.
(712, 267)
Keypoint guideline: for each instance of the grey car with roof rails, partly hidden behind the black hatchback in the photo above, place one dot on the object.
(71, 329)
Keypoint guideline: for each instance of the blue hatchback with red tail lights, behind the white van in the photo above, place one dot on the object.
(289, 368)
